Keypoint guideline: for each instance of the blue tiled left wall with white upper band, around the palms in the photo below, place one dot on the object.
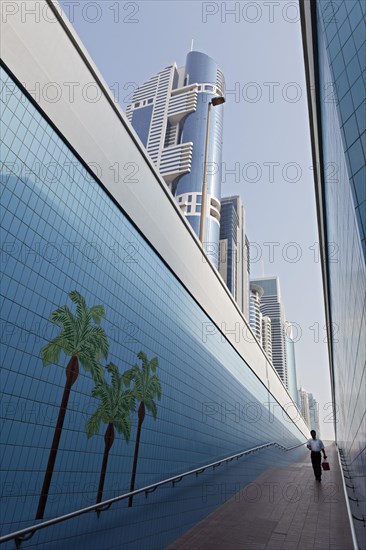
(68, 225)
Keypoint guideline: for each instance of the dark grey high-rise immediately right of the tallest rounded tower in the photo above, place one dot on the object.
(233, 257)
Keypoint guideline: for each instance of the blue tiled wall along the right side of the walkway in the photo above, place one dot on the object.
(334, 42)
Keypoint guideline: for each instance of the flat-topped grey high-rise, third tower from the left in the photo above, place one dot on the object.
(270, 305)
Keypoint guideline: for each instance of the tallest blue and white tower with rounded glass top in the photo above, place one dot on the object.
(169, 113)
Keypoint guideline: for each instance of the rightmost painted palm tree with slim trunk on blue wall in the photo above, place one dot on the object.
(146, 388)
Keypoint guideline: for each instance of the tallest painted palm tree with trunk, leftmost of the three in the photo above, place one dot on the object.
(84, 342)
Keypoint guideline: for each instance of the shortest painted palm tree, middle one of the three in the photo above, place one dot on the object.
(114, 410)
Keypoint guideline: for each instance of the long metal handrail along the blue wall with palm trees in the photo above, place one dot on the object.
(20, 535)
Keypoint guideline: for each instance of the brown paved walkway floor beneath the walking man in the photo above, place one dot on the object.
(283, 509)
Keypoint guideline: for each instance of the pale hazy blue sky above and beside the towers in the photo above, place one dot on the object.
(267, 156)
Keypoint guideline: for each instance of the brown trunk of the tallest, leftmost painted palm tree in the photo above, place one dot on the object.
(72, 372)
